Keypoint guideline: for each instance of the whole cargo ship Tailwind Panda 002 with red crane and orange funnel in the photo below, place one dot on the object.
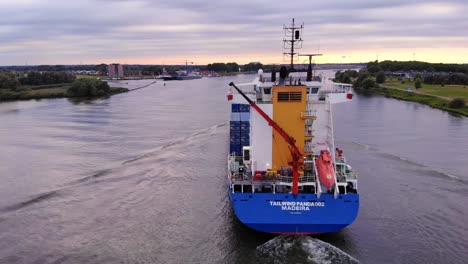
(285, 174)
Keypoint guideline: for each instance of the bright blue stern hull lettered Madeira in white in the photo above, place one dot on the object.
(300, 214)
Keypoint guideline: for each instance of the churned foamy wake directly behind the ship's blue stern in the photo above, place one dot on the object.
(301, 249)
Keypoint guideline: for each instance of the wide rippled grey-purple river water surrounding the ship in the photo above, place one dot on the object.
(140, 178)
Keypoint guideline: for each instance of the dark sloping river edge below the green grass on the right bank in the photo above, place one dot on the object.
(430, 100)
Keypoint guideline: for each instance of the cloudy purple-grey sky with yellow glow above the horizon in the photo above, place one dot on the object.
(37, 32)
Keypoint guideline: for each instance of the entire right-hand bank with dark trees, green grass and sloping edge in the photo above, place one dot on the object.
(411, 81)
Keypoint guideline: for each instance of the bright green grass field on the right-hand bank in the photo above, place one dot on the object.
(448, 91)
